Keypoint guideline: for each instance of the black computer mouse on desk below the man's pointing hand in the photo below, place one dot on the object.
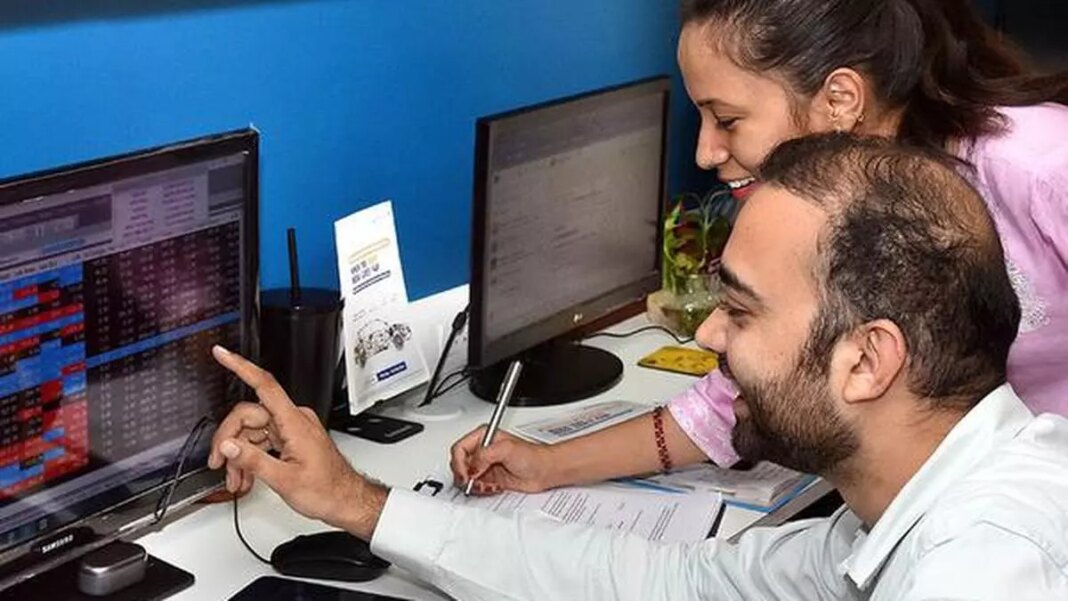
(328, 556)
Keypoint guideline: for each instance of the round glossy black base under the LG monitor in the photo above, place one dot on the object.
(554, 374)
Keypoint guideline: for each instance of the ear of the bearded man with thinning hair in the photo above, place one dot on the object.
(875, 356)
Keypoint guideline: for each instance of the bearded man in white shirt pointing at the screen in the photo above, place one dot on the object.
(868, 320)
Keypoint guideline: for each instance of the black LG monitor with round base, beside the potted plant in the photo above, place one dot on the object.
(567, 230)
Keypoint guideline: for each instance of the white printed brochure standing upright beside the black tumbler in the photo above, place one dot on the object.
(382, 357)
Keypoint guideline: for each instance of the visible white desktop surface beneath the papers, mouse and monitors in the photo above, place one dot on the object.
(205, 544)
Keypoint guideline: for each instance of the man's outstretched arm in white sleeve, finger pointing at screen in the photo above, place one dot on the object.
(475, 555)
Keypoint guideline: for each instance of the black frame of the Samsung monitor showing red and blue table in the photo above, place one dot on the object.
(124, 517)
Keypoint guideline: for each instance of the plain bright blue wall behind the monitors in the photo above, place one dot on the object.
(357, 101)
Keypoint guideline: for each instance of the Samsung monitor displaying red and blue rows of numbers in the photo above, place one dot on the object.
(117, 278)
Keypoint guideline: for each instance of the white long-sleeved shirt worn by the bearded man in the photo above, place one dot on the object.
(986, 518)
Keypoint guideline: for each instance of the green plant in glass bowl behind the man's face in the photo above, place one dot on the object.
(696, 231)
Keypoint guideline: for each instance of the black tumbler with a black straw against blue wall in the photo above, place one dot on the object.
(300, 338)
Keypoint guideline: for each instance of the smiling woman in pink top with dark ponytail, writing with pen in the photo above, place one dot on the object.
(930, 73)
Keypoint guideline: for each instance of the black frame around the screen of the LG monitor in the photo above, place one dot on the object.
(570, 320)
